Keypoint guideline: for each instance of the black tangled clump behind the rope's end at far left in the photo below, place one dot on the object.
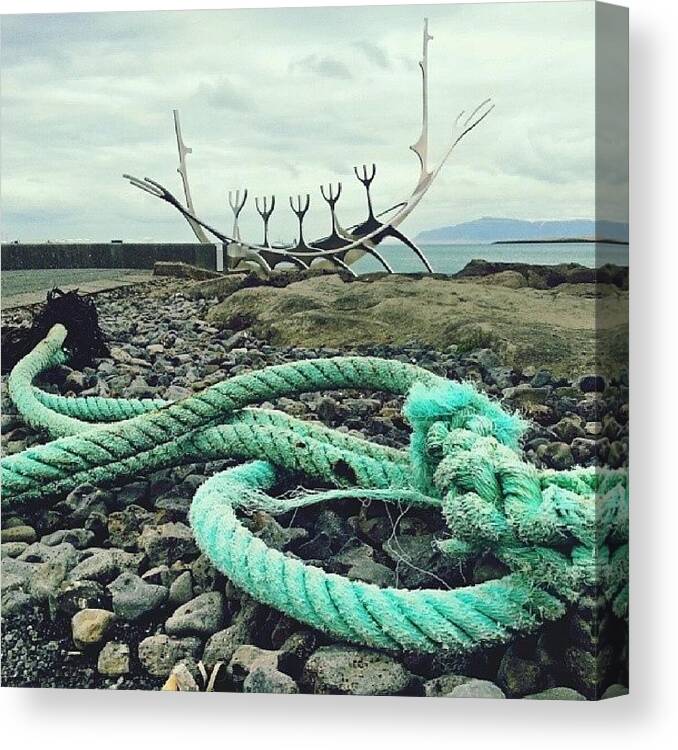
(85, 339)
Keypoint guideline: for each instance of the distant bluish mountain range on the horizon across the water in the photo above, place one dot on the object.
(490, 229)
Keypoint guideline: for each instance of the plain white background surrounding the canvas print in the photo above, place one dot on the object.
(71, 719)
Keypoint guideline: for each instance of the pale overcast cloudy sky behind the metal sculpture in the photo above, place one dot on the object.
(279, 101)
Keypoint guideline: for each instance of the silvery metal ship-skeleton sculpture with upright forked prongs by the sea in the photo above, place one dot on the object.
(342, 247)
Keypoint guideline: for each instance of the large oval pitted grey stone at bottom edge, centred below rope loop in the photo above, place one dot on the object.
(354, 671)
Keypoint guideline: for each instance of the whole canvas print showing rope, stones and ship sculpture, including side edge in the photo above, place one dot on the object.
(314, 351)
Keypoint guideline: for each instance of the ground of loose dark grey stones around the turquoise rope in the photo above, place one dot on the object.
(107, 589)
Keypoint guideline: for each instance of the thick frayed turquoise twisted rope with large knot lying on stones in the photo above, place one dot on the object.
(557, 532)
